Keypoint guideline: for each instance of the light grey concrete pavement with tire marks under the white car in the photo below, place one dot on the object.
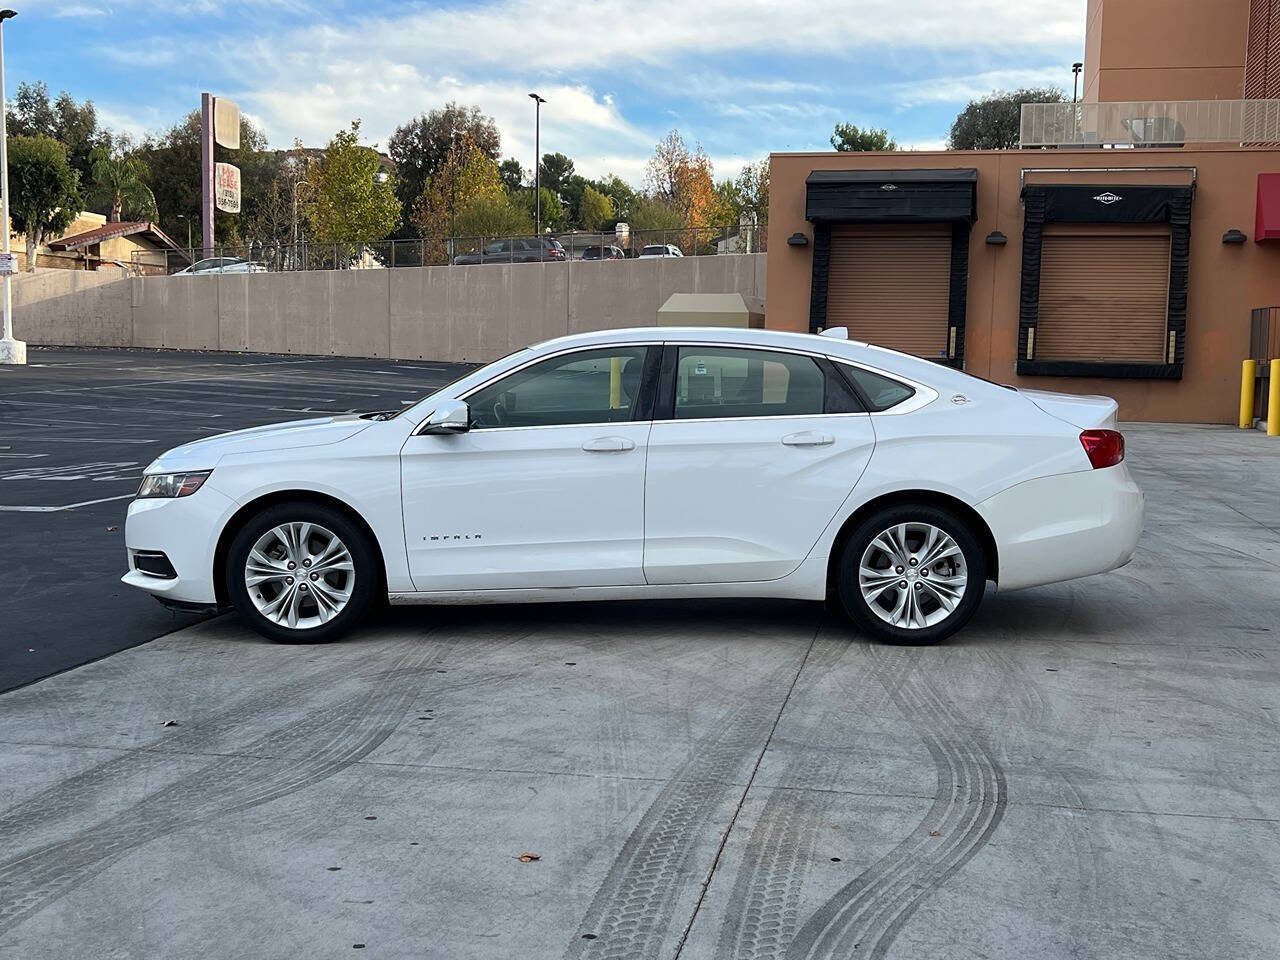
(1090, 770)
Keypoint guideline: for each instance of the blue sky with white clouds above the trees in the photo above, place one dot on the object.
(743, 77)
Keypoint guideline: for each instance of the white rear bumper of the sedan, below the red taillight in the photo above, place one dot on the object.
(1066, 527)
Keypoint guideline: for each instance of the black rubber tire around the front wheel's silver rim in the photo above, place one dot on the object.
(367, 572)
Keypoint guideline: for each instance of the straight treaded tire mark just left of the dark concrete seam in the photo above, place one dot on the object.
(632, 912)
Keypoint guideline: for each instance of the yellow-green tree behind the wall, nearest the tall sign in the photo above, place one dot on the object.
(348, 203)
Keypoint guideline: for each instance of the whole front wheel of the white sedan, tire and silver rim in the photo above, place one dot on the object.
(301, 574)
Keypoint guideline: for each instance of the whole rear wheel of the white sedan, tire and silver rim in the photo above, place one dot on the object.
(912, 575)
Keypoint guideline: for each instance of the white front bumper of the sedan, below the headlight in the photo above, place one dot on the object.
(185, 529)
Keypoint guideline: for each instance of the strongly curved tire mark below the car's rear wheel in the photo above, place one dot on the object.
(868, 913)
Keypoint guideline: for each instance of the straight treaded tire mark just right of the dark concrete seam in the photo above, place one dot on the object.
(764, 909)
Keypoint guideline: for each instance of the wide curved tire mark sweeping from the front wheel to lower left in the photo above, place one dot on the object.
(280, 764)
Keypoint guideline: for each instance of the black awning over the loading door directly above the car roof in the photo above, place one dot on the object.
(893, 196)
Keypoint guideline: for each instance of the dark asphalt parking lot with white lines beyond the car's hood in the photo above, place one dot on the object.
(77, 428)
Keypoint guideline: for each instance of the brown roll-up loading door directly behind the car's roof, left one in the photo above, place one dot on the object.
(892, 286)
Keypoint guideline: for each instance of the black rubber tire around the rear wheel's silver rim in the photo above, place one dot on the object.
(860, 610)
